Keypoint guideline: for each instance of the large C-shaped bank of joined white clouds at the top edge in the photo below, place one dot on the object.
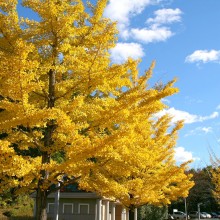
(122, 11)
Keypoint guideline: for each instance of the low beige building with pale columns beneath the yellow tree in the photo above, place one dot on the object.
(73, 204)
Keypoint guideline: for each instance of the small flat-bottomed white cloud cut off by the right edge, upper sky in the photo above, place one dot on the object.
(203, 56)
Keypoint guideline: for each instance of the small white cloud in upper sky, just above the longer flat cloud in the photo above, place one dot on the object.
(165, 16)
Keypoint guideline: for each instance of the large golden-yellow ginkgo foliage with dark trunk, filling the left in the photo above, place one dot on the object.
(67, 110)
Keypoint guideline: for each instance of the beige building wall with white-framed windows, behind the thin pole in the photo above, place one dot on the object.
(73, 209)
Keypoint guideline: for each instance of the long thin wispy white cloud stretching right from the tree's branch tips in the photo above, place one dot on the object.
(188, 118)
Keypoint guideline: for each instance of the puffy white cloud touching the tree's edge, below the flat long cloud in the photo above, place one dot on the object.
(122, 51)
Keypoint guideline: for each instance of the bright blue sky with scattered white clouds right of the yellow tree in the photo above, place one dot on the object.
(183, 36)
